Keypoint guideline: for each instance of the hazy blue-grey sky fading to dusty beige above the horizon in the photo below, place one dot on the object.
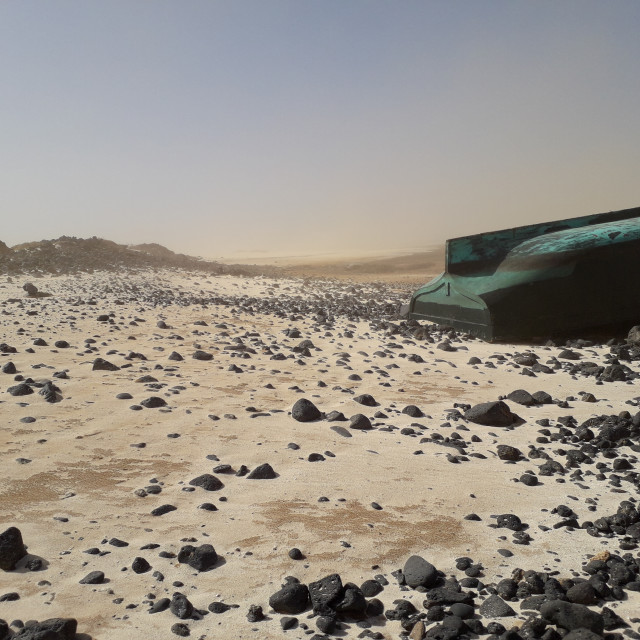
(221, 126)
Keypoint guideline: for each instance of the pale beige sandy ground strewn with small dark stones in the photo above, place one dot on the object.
(78, 489)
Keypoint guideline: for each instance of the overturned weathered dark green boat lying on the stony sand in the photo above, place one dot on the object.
(561, 282)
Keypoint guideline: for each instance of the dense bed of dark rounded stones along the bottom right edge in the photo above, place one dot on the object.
(462, 607)
